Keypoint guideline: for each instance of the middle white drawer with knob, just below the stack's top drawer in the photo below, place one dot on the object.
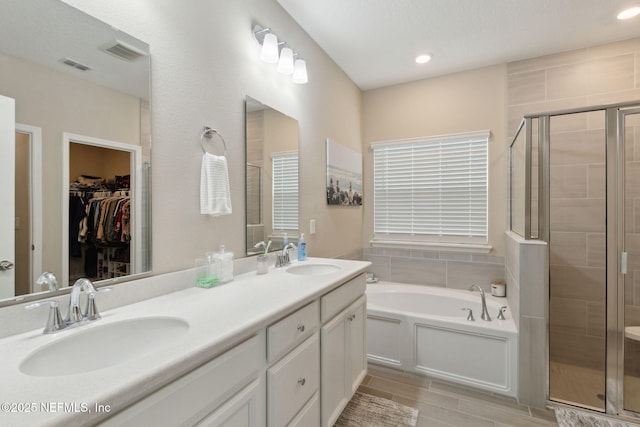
(292, 381)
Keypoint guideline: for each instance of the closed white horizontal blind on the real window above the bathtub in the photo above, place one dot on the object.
(432, 188)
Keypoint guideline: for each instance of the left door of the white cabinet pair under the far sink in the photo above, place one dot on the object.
(333, 338)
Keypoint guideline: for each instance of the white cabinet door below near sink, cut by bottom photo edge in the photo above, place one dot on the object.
(245, 409)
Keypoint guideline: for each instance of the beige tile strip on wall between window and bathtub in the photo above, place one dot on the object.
(443, 269)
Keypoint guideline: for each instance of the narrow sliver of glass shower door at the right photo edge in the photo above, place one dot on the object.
(630, 298)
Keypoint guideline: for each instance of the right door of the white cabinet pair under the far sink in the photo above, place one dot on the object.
(357, 338)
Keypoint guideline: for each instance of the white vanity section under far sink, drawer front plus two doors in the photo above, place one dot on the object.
(343, 347)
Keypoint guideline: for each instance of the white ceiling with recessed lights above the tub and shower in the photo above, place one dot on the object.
(375, 41)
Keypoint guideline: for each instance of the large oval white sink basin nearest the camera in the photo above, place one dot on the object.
(103, 346)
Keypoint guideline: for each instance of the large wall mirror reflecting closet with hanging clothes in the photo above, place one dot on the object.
(83, 148)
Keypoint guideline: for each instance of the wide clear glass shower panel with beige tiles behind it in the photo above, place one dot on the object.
(577, 259)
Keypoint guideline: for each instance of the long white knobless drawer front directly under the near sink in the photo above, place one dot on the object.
(191, 397)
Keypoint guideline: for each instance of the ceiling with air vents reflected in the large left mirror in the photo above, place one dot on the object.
(46, 31)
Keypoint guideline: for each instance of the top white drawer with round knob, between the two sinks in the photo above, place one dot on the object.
(291, 330)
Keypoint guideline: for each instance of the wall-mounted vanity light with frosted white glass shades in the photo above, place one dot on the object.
(273, 52)
